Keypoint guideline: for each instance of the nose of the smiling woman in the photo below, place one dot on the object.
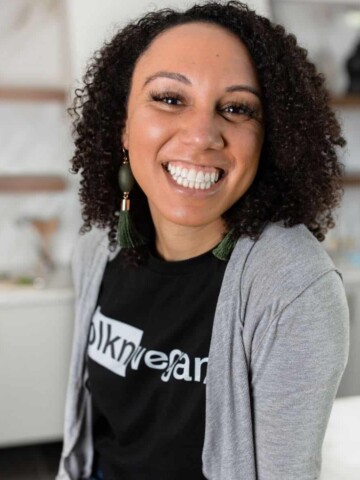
(201, 130)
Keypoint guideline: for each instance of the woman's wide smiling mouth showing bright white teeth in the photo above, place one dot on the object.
(194, 177)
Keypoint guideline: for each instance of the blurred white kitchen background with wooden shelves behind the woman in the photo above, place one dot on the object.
(44, 48)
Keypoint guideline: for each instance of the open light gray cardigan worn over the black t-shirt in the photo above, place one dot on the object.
(279, 347)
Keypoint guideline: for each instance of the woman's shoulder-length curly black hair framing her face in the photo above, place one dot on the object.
(299, 175)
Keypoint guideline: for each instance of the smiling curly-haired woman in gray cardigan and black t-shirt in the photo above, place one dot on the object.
(211, 344)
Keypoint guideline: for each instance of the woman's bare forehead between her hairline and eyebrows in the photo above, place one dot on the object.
(203, 46)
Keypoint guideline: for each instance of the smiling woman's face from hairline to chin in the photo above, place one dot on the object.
(194, 124)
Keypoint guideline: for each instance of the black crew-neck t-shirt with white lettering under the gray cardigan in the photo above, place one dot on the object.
(147, 357)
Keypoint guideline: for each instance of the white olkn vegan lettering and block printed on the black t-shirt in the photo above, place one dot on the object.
(116, 346)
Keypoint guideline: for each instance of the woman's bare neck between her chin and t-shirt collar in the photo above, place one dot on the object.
(179, 242)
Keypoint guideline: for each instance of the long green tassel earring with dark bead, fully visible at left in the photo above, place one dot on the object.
(127, 235)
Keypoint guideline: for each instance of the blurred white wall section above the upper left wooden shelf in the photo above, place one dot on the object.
(31, 47)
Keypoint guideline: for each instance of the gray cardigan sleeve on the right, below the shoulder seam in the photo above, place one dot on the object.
(295, 373)
